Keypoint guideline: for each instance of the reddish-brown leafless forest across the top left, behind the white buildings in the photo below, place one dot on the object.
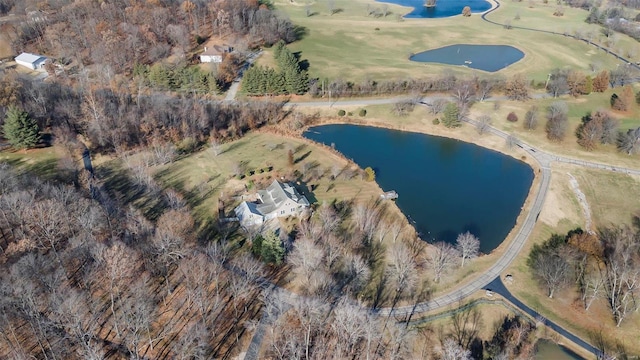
(115, 36)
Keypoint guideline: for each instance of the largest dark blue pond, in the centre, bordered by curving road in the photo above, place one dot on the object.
(445, 186)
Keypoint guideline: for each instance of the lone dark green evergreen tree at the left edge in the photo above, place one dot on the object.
(20, 129)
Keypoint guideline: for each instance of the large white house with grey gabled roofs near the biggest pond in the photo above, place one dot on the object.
(277, 200)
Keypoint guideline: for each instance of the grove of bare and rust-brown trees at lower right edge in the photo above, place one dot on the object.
(602, 267)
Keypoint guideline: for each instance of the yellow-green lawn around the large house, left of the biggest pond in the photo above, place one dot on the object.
(213, 175)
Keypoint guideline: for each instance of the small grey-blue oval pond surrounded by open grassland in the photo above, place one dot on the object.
(482, 57)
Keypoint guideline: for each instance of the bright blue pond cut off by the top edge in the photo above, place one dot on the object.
(443, 8)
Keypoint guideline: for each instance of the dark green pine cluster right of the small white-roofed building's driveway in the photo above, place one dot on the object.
(288, 78)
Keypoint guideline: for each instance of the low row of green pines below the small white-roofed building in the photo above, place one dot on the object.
(177, 78)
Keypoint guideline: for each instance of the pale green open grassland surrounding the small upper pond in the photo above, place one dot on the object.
(353, 46)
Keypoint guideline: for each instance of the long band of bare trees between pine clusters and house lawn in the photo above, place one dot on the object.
(113, 121)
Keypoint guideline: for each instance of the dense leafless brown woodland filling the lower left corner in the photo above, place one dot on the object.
(86, 277)
